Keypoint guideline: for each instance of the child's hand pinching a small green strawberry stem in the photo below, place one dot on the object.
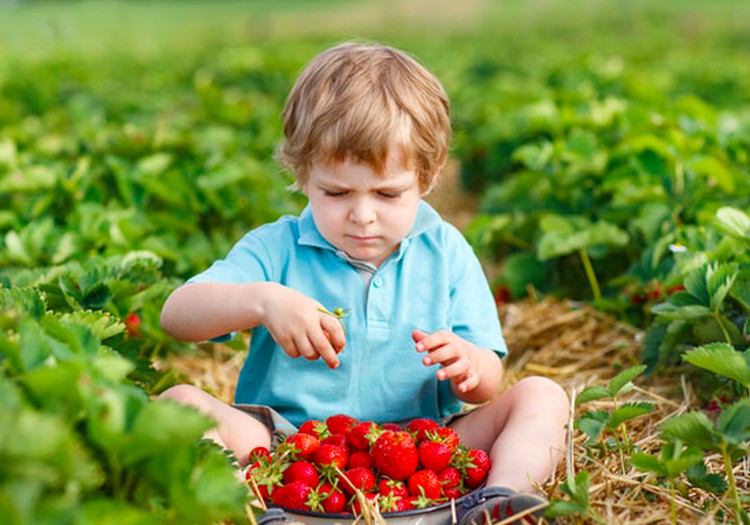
(302, 327)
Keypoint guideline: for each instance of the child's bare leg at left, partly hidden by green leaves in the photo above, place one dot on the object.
(235, 430)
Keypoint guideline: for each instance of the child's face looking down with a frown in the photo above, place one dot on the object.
(361, 212)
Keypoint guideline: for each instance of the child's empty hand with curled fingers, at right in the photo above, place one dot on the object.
(453, 353)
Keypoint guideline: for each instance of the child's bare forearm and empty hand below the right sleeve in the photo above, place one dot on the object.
(475, 373)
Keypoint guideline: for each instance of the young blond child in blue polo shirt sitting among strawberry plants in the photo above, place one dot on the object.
(367, 132)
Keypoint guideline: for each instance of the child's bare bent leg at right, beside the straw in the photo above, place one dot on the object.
(523, 430)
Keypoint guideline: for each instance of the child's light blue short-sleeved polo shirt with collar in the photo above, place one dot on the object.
(432, 282)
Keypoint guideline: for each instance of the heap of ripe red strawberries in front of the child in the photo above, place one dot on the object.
(333, 466)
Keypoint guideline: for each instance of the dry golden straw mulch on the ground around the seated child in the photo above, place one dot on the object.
(576, 346)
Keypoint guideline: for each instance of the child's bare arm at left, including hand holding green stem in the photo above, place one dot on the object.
(201, 311)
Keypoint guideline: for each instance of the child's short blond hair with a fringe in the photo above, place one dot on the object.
(360, 101)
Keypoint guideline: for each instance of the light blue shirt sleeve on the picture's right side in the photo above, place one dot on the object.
(473, 314)
